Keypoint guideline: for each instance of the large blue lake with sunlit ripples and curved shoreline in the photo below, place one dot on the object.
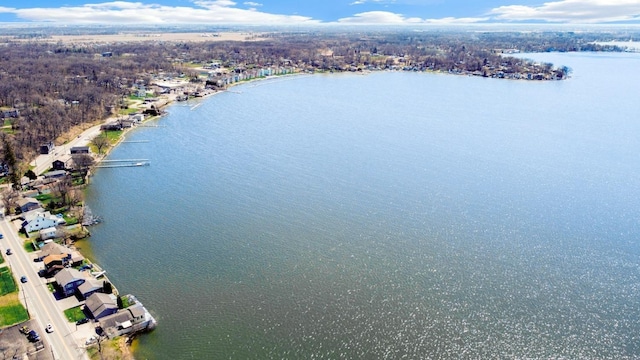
(387, 215)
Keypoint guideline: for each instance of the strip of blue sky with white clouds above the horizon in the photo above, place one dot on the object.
(280, 12)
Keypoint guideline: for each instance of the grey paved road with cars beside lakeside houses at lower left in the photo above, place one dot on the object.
(38, 299)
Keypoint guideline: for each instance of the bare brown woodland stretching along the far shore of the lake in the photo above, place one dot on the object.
(58, 86)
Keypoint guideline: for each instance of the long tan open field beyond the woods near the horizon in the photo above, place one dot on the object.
(152, 36)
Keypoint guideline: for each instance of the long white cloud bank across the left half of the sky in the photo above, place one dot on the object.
(124, 12)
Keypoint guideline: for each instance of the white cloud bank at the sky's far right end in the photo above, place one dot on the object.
(572, 11)
